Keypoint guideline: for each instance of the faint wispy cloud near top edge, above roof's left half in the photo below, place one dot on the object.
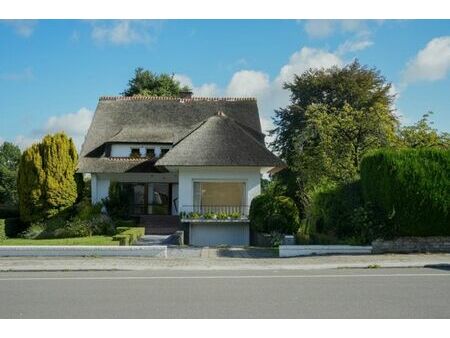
(123, 32)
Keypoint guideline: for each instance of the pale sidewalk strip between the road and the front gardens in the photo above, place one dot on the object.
(221, 259)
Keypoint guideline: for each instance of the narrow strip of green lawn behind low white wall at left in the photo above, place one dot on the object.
(93, 240)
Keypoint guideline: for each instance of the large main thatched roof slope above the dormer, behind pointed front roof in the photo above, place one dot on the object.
(160, 119)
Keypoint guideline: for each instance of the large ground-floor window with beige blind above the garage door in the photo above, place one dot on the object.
(219, 197)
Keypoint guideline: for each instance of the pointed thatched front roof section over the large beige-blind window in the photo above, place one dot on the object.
(220, 141)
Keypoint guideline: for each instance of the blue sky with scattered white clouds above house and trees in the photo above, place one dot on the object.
(52, 72)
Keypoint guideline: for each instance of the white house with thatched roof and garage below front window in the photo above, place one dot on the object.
(180, 156)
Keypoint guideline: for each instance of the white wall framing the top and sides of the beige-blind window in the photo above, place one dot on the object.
(187, 176)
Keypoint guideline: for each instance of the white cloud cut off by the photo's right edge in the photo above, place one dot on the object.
(431, 63)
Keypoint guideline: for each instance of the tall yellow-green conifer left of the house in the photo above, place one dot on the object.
(46, 179)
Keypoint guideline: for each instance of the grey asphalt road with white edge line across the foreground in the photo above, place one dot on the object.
(350, 293)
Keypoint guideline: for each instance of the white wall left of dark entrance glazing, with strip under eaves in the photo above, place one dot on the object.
(100, 182)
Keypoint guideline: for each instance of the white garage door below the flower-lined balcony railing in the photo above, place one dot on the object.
(211, 234)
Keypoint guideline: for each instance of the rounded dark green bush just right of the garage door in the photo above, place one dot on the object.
(273, 214)
